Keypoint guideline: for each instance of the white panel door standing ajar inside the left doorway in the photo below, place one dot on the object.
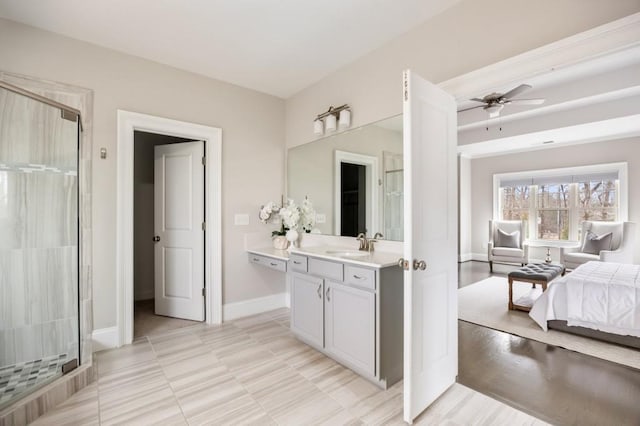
(179, 234)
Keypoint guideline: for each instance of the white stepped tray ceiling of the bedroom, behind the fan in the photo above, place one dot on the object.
(591, 101)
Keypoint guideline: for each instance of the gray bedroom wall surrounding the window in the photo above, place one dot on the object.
(483, 169)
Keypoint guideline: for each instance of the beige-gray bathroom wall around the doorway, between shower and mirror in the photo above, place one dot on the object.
(252, 148)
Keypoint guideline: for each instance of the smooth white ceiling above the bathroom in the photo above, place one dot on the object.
(278, 47)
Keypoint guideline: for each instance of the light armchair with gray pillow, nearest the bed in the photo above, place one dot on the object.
(597, 245)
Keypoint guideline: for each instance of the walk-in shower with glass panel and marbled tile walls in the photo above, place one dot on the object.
(39, 241)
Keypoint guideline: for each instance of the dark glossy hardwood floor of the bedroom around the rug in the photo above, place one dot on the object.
(553, 384)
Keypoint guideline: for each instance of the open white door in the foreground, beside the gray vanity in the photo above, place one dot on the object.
(430, 235)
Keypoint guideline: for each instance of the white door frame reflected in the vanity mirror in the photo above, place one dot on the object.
(371, 164)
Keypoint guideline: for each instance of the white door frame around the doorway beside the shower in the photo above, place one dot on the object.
(128, 122)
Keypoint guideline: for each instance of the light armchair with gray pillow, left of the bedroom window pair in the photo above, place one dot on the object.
(507, 242)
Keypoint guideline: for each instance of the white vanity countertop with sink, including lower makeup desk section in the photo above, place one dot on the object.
(375, 259)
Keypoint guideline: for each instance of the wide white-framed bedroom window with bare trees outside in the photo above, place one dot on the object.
(556, 202)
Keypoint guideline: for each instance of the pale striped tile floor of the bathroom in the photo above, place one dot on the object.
(250, 371)
